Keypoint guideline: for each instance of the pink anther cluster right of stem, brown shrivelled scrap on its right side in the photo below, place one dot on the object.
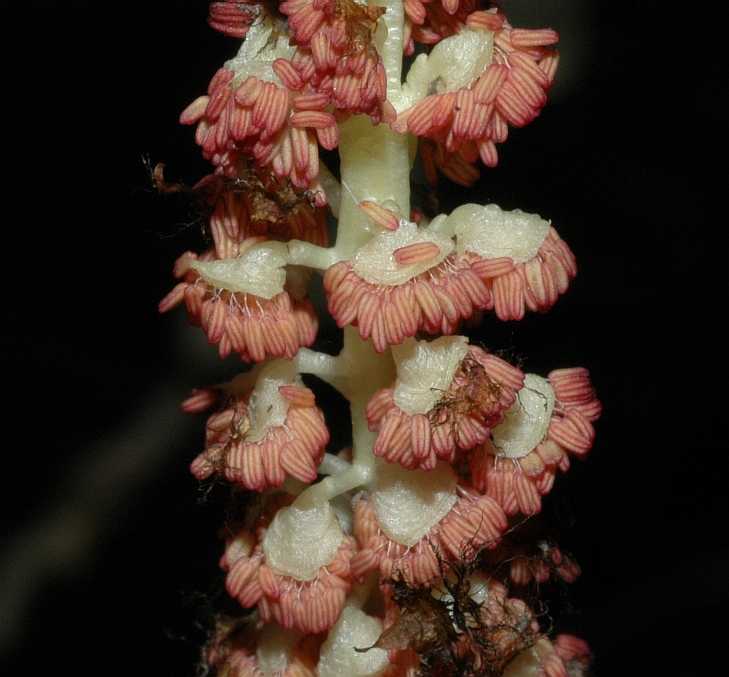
(447, 397)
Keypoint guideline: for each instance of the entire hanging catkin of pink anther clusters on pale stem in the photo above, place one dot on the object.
(450, 443)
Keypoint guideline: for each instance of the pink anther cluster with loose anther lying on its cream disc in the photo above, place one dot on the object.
(402, 282)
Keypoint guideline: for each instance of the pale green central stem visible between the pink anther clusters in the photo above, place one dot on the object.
(375, 166)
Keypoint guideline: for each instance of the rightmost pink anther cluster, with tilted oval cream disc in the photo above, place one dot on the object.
(550, 419)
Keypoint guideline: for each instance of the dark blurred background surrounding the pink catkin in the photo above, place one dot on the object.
(108, 560)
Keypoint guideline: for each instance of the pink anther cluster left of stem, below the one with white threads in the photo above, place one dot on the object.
(265, 435)
